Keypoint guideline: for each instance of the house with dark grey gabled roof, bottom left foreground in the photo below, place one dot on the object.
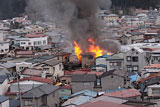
(42, 96)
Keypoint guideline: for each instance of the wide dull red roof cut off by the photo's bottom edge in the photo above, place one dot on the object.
(103, 104)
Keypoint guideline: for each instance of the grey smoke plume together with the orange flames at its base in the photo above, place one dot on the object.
(80, 19)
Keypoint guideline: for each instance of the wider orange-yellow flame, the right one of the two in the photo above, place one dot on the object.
(94, 49)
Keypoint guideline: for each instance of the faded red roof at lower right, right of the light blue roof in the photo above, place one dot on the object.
(127, 93)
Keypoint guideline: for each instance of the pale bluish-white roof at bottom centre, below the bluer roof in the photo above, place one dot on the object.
(82, 99)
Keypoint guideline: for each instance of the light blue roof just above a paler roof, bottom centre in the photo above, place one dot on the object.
(86, 93)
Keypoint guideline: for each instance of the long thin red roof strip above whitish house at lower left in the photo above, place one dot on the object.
(38, 79)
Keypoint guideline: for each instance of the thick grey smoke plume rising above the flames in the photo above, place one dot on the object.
(80, 17)
